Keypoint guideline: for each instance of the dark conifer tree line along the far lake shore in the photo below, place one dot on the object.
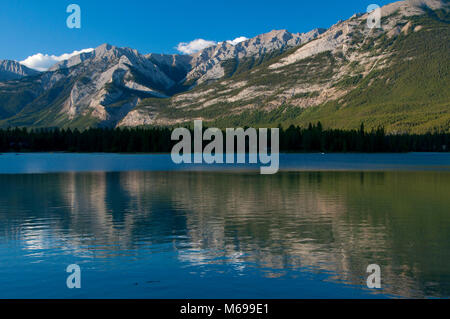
(158, 139)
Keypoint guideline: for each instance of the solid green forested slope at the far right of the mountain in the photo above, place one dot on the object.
(410, 95)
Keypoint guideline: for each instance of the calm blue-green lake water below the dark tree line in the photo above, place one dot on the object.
(142, 227)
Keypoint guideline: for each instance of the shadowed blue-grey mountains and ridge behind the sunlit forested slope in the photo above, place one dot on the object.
(101, 87)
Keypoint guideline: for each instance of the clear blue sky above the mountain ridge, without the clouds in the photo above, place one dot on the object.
(28, 27)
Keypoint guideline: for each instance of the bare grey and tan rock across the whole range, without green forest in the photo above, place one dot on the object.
(107, 84)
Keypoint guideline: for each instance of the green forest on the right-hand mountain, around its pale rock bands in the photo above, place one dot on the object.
(409, 94)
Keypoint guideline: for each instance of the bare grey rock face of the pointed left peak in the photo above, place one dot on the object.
(107, 83)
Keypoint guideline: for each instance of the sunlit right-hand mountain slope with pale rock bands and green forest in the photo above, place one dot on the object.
(397, 77)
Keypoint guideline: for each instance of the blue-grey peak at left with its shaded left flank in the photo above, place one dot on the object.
(100, 87)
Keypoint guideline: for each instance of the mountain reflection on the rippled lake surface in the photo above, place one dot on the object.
(326, 224)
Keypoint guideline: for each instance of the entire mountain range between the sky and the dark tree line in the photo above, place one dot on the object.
(396, 76)
